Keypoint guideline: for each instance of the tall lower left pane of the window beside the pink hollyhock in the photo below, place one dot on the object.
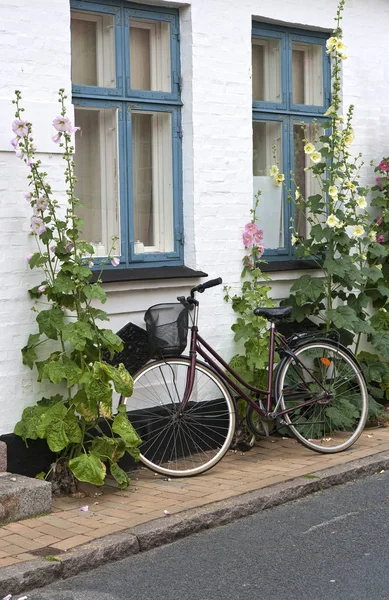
(97, 172)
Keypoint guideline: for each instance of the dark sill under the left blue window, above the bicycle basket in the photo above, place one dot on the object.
(147, 273)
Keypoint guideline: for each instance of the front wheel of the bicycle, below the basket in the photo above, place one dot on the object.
(180, 442)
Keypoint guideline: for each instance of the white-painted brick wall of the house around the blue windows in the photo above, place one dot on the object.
(217, 162)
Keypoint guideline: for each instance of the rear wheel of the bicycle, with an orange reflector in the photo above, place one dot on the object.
(325, 391)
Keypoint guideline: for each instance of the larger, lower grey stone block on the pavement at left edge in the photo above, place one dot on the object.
(22, 497)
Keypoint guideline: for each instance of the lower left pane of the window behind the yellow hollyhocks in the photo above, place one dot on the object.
(267, 141)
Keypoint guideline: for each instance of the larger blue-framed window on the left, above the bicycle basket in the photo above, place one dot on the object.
(125, 75)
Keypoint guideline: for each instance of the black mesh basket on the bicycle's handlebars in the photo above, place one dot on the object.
(167, 329)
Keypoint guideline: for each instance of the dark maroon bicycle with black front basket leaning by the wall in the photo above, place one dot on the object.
(184, 409)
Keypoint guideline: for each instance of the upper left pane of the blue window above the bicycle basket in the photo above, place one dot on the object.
(93, 49)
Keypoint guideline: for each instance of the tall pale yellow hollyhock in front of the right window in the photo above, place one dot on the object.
(341, 238)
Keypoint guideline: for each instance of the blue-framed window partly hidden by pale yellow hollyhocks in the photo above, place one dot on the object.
(291, 92)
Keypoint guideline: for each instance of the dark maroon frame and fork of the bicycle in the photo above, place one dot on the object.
(199, 346)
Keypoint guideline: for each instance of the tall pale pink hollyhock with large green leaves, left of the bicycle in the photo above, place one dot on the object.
(70, 421)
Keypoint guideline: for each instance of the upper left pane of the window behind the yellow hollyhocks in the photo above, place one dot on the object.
(266, 66)
